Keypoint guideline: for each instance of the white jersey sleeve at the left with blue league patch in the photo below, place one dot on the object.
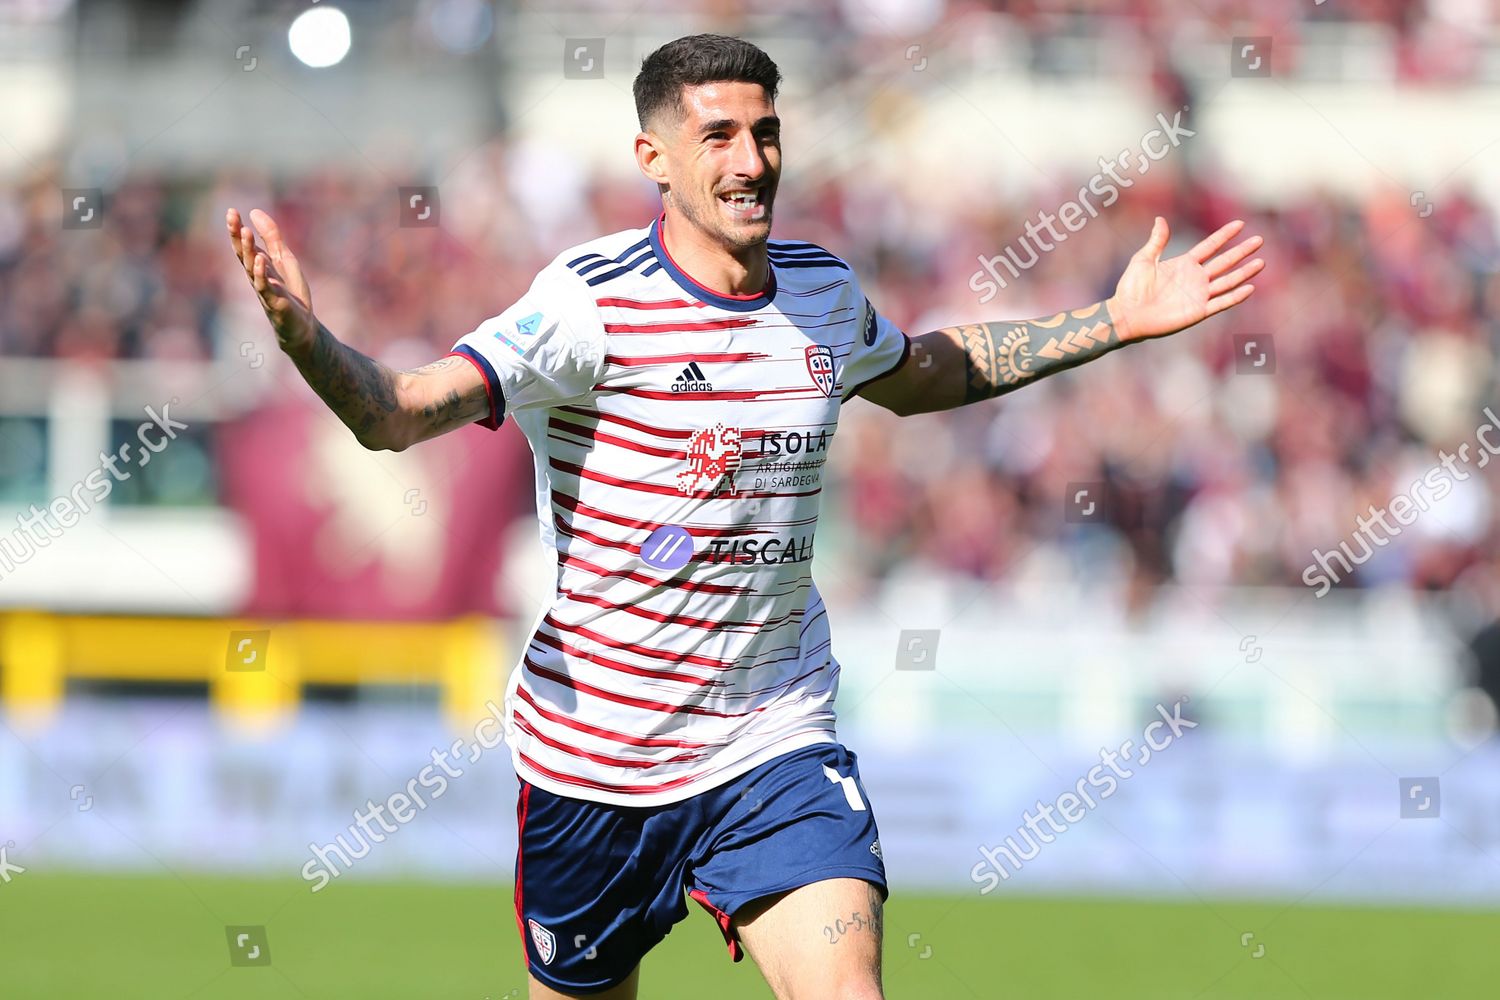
(547, 350)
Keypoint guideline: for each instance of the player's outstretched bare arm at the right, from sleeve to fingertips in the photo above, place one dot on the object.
(964, 365)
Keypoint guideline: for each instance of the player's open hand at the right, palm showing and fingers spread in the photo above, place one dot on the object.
(1157, 298)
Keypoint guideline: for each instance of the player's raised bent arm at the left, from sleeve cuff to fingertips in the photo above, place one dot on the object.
(386, 410)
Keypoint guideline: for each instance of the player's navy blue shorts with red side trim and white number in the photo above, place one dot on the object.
(598, 887)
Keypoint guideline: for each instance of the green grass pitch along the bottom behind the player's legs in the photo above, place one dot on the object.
(164, 939)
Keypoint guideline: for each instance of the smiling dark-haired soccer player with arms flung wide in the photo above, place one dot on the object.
(673, 716)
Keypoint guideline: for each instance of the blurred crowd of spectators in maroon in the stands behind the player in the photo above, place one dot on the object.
(1375, 328)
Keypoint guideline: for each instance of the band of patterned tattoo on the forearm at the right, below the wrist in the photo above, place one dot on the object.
(1001, 358)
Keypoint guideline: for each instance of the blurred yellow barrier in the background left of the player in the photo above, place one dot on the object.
(254, 671)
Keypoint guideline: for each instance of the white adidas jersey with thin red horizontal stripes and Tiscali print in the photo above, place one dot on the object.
(680, 439)
